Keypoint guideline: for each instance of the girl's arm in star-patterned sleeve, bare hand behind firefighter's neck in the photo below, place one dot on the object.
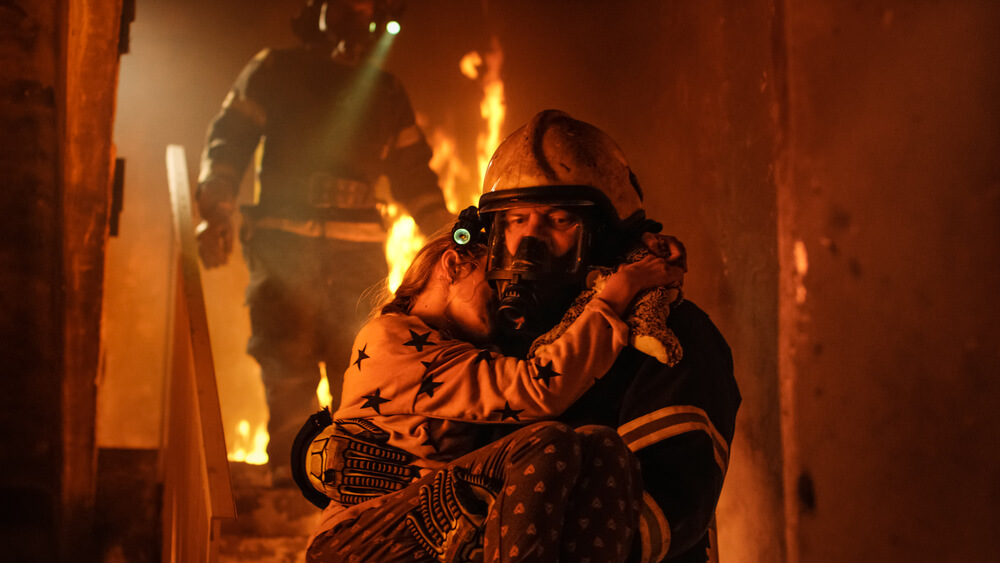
(402, 366)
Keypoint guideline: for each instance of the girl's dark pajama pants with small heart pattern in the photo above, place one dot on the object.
(544, 493)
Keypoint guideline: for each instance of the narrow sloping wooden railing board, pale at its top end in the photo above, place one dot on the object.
(221, 504)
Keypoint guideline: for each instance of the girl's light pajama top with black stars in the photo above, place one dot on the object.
(426, 388)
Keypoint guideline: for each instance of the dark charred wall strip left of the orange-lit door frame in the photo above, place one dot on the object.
(30, 278)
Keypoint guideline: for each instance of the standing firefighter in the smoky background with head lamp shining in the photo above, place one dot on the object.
(325, 125)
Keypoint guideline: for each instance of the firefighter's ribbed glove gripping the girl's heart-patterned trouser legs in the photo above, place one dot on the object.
(449, 521)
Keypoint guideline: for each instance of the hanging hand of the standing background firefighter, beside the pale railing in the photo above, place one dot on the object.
(216, 203)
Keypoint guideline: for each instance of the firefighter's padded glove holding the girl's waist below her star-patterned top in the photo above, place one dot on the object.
(350, 461)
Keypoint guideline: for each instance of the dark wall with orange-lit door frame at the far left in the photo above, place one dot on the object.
(58, 70)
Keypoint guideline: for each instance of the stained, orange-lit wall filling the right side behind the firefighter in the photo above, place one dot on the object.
(890, 190)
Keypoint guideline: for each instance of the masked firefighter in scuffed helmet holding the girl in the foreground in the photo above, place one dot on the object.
(678, 419)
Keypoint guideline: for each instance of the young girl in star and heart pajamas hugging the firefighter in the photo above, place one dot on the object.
(422, 376)
